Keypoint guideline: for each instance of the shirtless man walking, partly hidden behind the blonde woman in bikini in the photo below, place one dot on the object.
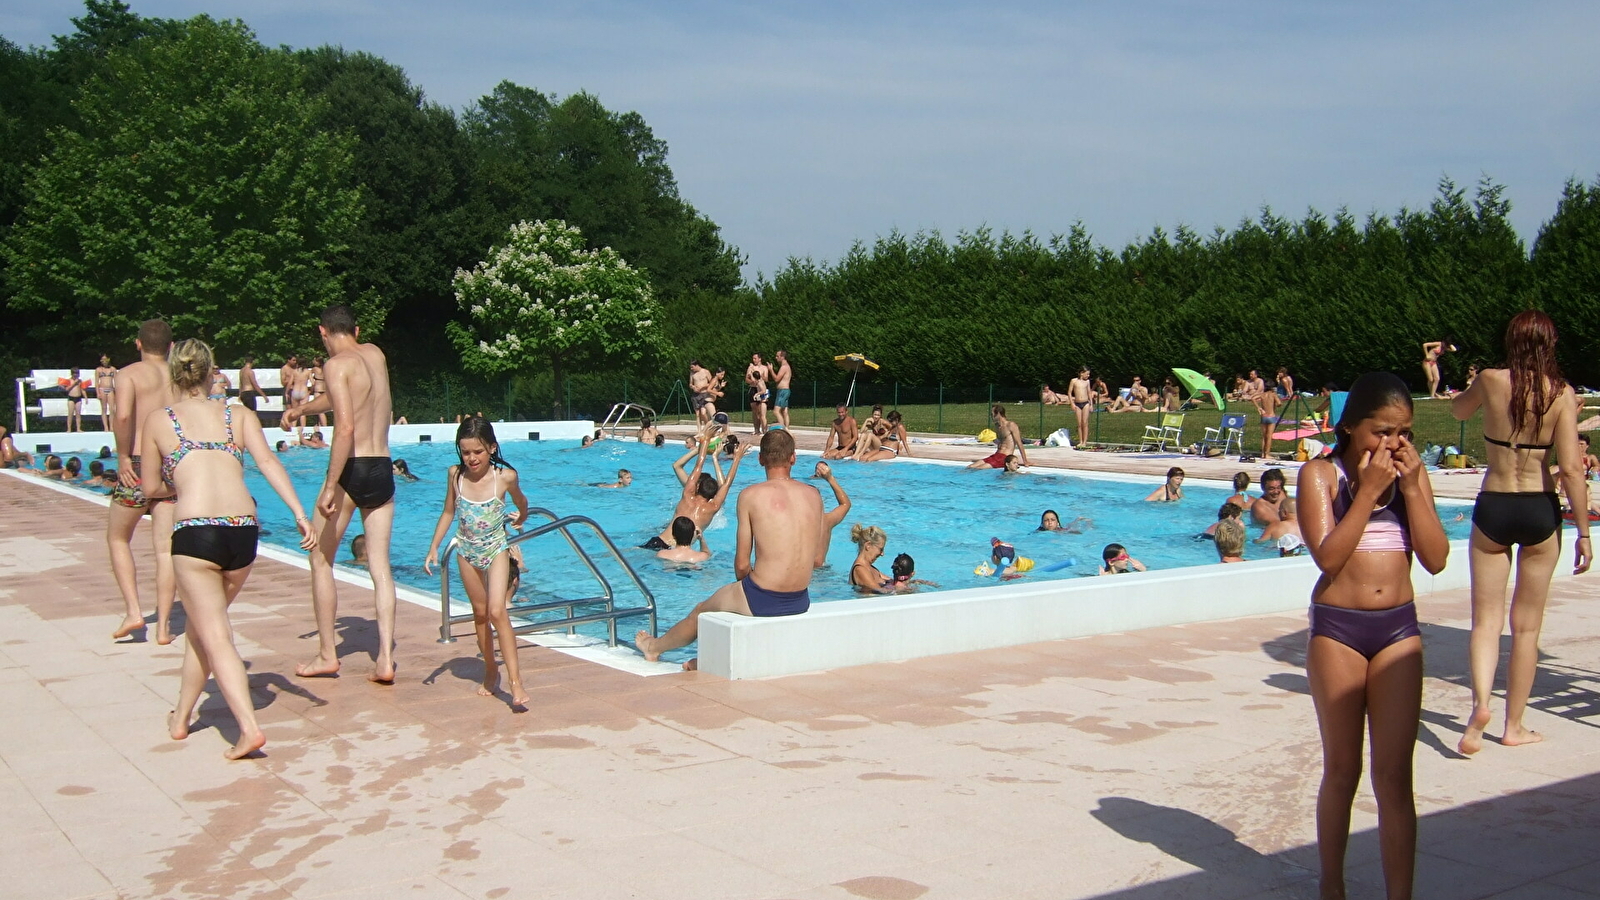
(142, 390)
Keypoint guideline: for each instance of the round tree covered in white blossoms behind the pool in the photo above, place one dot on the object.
(545, 299)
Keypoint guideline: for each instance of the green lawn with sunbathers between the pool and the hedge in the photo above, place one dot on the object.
(1433, 424)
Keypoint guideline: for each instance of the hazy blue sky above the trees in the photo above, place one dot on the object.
(804, 127)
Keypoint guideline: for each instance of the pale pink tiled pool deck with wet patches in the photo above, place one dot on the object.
(1167, 763)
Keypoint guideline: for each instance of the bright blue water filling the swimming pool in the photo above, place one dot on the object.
(940, 515)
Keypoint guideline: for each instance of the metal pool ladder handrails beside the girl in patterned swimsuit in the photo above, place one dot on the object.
(607, 598)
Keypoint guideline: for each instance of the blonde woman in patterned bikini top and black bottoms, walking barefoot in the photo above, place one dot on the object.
(199, 446)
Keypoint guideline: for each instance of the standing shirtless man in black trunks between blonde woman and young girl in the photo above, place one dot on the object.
(361, 476)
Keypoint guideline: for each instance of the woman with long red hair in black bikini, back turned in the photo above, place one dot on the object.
(1529, 411)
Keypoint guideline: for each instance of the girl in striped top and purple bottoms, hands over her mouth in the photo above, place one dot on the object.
(1369, 510)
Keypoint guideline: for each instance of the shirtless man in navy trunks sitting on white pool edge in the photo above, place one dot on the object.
(782, 520)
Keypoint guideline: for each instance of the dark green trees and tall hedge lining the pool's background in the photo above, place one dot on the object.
(180, 169)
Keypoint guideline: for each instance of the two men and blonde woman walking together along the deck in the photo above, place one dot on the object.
(170, 411)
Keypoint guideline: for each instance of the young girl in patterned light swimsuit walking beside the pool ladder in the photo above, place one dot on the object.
(476, 500)
